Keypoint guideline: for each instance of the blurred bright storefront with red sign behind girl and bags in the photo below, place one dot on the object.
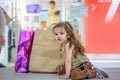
(97, 22)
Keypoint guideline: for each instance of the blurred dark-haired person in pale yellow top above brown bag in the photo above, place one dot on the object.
(53, 15)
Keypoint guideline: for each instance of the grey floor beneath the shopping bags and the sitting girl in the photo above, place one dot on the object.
(9, 74)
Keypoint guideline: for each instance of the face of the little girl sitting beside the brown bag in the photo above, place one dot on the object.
(60, 35)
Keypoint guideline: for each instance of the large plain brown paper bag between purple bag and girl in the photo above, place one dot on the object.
(45, 52)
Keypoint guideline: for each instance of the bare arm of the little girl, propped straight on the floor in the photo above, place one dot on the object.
(68, 61)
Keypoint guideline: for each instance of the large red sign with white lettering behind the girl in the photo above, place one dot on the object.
(102, 26)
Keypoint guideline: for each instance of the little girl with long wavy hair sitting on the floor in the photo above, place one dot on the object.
(75, 63)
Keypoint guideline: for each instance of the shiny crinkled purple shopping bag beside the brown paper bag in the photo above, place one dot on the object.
(24, 51)
